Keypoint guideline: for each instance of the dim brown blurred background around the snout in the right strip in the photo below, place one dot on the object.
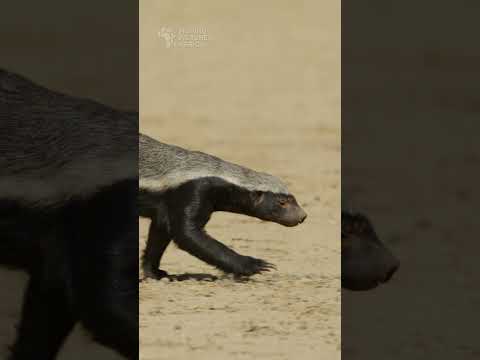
(410, 161)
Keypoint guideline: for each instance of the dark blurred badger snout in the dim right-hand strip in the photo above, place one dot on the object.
(366, 261)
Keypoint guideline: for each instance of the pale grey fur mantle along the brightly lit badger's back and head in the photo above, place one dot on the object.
(164, 166)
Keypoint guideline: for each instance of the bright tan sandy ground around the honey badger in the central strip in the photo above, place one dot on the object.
(262, 91)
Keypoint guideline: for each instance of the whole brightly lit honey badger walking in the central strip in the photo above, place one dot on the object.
(180, 189)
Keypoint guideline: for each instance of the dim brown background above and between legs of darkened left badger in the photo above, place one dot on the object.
(83, 48)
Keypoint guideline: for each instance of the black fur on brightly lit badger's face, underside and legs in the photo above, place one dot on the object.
(182, 213)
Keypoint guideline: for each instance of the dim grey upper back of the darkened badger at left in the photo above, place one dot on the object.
(53, 146)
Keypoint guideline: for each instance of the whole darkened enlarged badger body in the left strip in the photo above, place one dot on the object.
(64, 163)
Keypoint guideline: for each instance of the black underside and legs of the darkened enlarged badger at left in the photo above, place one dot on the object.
(83, 265)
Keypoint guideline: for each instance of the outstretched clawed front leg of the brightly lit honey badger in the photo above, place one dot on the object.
(190, 212)
